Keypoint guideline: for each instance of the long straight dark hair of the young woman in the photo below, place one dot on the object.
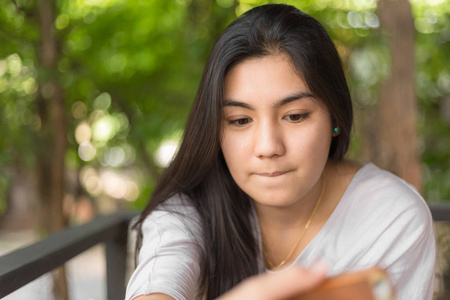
(198, 171)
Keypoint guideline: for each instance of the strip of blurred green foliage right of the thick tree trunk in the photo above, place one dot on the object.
(433, 91)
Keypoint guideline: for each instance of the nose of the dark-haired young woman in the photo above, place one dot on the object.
(268, 141)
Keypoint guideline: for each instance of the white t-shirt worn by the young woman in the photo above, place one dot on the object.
(380, 220)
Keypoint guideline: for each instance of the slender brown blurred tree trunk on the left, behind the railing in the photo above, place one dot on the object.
(51, 139)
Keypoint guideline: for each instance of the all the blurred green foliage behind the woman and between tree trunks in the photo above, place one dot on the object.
(130, 70)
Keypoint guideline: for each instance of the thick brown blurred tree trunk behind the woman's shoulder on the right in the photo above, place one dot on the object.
(396, 148)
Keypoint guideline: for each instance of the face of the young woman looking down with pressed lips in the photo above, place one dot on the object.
(275, 135)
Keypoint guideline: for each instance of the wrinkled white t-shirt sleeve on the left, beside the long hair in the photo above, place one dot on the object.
(169, 260)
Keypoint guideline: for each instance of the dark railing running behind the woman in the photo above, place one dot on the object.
(24, 265)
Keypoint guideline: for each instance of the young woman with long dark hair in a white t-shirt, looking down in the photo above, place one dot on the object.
(260, 184)
